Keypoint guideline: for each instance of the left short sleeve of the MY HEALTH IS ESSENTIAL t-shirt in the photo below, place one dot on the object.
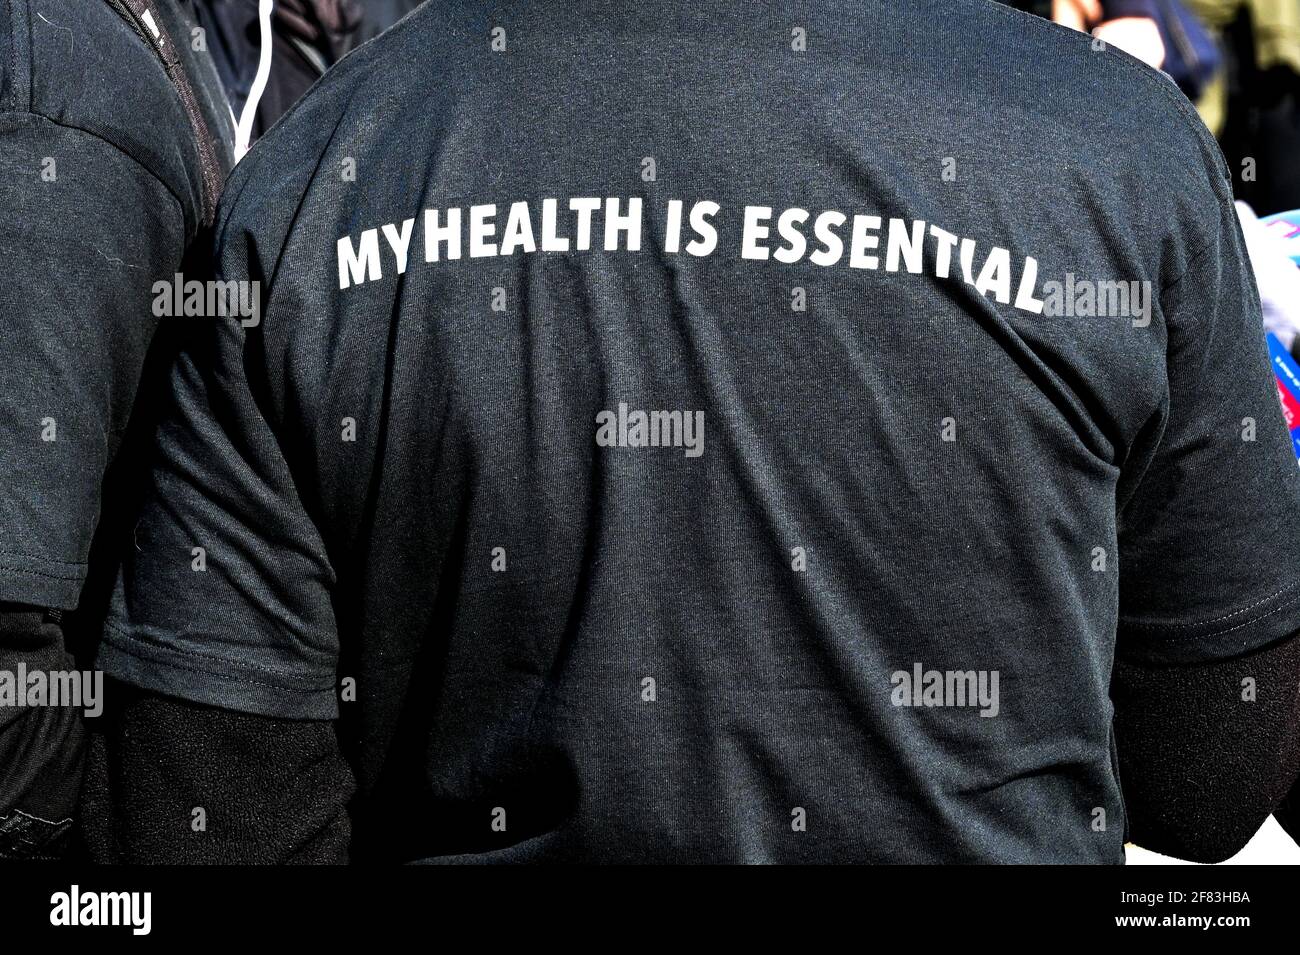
(226, 600)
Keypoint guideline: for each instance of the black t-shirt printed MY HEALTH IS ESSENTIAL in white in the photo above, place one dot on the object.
(683, 433)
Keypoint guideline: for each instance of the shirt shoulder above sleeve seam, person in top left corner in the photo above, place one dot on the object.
(79, 66)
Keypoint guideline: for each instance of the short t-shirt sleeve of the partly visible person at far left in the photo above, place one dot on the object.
(85, 232)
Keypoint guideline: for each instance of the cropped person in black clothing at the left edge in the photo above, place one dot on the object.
(110, 173)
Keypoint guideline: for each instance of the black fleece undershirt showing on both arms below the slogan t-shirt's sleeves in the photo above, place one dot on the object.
(1202, 769)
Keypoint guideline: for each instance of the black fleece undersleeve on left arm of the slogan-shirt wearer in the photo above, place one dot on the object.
(271, 791)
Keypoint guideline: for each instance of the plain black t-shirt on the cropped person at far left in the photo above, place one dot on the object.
(102, 196)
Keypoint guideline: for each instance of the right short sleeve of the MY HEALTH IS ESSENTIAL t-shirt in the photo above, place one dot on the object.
(1210, 558)
